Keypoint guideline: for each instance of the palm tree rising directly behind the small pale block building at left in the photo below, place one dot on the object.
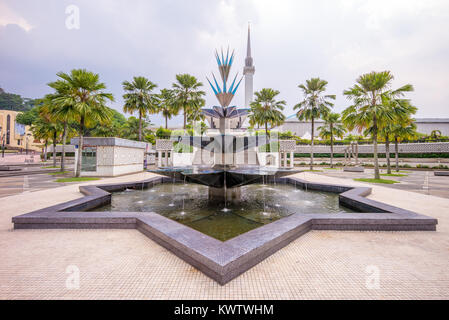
(139, 98)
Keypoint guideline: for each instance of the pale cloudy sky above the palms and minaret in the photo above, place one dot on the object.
(292, 41)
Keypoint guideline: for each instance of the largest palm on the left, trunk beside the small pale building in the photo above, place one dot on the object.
(85, 93)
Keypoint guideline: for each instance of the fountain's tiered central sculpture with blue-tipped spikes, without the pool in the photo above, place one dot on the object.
(235, 156)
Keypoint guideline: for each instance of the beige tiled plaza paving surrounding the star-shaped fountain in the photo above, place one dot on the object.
(115, 264)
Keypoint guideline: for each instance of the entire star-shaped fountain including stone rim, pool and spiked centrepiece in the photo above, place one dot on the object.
(228, 206)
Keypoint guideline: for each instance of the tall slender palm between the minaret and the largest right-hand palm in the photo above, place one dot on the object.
(315, 105)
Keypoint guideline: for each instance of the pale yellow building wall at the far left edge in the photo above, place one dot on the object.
(14, 138)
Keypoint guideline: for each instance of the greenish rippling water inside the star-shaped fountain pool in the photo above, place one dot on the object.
(259, 204)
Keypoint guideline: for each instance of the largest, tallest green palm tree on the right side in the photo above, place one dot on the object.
(371, 107)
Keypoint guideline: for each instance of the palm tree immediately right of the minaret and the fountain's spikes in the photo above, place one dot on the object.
(266, 110)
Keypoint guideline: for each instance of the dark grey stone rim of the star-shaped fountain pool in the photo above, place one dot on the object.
(223, 261)
